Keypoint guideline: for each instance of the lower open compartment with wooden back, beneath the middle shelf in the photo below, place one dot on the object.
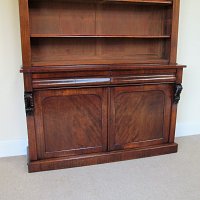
(98, 50)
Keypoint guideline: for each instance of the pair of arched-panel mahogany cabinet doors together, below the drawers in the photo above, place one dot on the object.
(71, 122)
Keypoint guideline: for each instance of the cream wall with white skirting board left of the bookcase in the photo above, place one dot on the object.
(12, 117)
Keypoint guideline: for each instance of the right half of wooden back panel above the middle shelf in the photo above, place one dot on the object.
(130, 19)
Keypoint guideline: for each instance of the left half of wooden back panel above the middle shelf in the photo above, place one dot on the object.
(61, 17)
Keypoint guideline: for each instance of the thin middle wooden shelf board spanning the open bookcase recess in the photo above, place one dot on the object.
(98, 36)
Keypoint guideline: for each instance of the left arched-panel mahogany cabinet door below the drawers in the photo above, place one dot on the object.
(70, 121)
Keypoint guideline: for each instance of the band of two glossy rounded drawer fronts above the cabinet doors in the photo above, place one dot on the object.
(81, 79)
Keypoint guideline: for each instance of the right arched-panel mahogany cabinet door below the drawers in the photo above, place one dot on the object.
(140, 116)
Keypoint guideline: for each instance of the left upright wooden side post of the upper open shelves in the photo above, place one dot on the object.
(25, 32)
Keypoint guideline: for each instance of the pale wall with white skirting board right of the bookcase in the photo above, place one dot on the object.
(189, 54)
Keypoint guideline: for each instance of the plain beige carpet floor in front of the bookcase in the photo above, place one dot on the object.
(169, 177)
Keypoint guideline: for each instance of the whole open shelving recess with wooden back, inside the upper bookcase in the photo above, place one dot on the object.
(67, 32)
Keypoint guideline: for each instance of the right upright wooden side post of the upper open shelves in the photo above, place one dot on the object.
(174, 35)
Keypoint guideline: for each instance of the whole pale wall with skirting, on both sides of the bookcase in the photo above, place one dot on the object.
(13, 136)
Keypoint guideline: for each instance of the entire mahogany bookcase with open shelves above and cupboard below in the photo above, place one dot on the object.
(101, 80)
